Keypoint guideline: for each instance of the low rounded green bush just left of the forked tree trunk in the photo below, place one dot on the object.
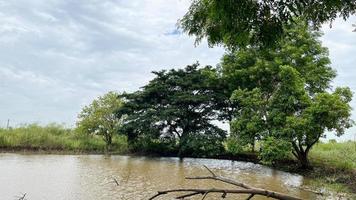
(273, 149)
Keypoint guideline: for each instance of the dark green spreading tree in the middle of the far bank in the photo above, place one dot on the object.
(177, 105)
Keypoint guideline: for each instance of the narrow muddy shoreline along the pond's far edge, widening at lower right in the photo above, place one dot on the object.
(321, 176)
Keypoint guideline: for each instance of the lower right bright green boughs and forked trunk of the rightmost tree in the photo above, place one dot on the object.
(327, 111)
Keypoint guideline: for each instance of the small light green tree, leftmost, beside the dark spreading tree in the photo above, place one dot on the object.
(99, 118)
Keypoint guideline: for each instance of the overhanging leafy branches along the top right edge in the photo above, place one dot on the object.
(241, 23)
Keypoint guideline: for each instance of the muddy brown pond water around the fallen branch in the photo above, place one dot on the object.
(89, 177)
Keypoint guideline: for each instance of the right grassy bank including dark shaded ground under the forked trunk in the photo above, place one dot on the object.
(334, 169)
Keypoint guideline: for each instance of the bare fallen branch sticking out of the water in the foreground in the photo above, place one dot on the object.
(244, 189)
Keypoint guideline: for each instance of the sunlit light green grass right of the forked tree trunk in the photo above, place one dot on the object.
(338, 155)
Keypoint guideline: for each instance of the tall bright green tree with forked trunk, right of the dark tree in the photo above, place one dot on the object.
(285, 92)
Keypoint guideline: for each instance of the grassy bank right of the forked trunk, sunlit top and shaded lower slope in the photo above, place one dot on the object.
(334, 167)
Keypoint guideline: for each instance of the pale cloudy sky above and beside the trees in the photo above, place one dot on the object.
(56, 56)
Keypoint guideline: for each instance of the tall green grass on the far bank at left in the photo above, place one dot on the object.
(56, 137)
